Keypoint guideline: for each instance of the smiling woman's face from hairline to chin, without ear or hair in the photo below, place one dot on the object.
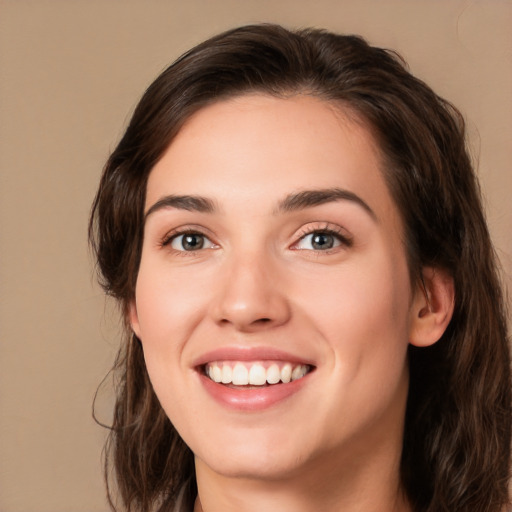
(273, 253)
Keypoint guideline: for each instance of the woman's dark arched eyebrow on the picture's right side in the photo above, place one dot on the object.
(308, 198)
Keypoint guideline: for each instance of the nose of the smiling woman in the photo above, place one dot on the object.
(252, 295)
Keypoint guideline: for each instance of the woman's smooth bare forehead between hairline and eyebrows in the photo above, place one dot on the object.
(257, 148)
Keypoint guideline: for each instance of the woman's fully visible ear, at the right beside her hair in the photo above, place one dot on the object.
(432, 307)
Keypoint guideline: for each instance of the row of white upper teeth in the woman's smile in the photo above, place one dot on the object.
(255, 374)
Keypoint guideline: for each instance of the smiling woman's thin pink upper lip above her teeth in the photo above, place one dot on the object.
(250, 354)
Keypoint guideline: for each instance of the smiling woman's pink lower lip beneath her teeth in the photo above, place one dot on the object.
(254, 398)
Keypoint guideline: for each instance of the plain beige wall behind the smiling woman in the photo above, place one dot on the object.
(71, 71)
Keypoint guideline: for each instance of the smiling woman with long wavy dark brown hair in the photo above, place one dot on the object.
(293, 228)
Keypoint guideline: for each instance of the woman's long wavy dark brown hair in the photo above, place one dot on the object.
(456, 449)
